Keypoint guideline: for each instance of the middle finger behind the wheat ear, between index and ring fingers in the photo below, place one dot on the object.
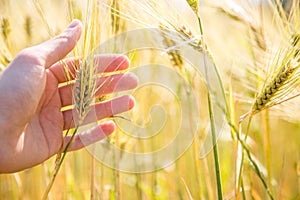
(105, 85)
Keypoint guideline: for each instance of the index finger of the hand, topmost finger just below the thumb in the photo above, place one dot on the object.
(105, 63)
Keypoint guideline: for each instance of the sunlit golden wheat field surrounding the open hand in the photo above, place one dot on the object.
(246, 144)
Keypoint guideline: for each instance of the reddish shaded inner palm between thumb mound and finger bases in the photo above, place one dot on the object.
(44, 133)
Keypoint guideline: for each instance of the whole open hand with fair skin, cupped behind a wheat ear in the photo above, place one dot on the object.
(31, 119)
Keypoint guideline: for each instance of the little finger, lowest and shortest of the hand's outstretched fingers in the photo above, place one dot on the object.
(90, 136)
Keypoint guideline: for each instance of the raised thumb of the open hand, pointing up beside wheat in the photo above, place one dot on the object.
(58, 47)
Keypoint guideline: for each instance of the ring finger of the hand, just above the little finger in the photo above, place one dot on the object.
(102, 110)
